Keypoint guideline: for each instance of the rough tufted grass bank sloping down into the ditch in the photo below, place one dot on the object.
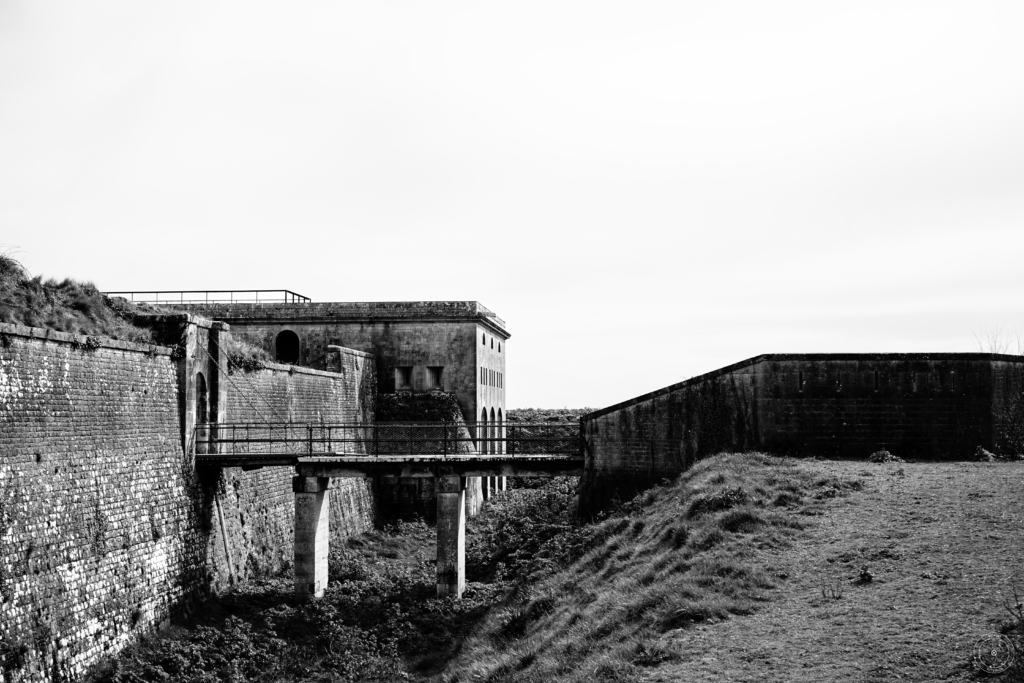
(684, 556)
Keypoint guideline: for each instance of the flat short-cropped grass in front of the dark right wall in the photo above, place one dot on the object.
(945, 542)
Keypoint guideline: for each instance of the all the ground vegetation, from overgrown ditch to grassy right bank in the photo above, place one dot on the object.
(746, 569)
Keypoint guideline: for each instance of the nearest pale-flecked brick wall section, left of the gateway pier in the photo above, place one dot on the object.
(100, 521)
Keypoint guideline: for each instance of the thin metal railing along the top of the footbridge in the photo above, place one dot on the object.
(388, 439)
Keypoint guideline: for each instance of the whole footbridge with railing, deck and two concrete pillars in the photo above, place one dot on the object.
(448, 452)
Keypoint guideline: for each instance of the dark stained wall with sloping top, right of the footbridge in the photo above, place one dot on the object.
(938, 406)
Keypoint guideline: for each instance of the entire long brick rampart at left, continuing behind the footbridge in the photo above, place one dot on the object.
(107, 529)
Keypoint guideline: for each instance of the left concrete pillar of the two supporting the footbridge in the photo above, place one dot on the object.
(313, 535)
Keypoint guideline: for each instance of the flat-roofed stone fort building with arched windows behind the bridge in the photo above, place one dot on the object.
(458, 348)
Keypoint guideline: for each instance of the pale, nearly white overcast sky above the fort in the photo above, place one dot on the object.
(644, 192)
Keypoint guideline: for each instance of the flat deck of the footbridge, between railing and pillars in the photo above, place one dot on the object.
(344, 465)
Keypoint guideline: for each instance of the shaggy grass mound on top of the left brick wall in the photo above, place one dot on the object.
(66, 306)
